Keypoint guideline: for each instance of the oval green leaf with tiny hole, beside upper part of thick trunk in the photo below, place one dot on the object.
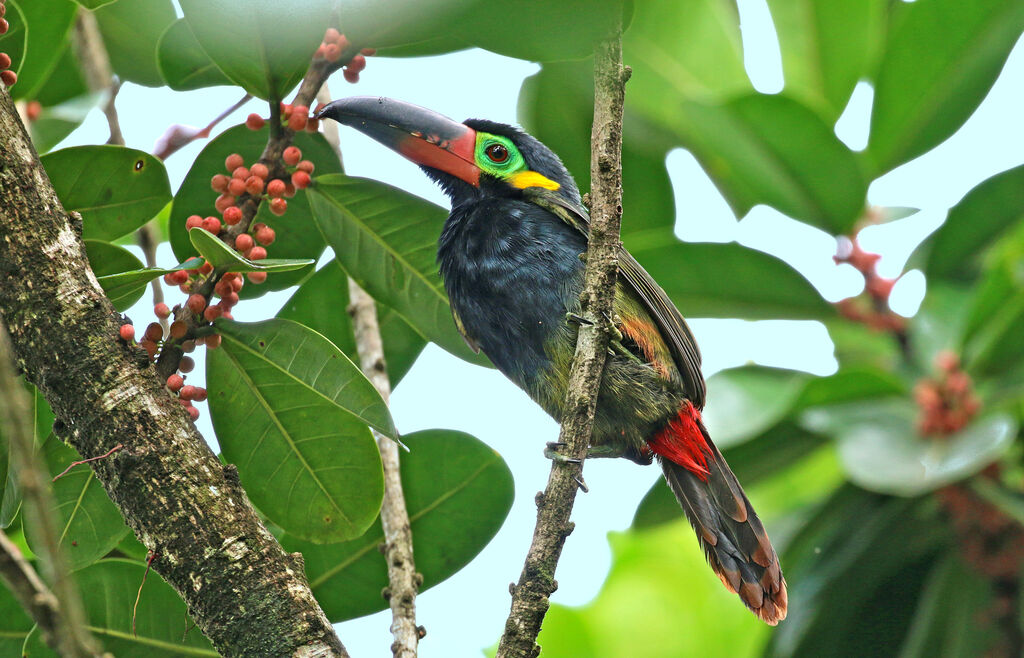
(116, 190)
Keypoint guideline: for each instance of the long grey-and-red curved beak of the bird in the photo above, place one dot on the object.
(422, 136)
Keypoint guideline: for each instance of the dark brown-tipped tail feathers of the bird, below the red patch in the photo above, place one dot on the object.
(731, 534)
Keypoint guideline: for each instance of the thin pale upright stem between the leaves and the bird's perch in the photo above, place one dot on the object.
(403, 579)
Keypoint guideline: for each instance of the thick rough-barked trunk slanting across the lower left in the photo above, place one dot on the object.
(246, 594)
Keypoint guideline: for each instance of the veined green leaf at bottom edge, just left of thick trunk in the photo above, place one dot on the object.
(162, 629)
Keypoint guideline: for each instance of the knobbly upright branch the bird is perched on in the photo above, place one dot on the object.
(530, 597)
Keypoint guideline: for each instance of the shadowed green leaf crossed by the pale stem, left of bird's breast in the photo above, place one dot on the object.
(322, 304)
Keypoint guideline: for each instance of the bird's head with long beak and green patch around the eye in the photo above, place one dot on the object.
(470, 160)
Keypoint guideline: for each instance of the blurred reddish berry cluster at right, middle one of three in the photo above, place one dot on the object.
(948, 403)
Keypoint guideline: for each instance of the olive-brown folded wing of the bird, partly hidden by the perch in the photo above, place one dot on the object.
(673, 328)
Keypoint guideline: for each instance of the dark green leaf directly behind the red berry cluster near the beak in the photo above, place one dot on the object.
(296, 235)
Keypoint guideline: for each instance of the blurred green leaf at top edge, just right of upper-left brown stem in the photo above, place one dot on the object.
(132, 30)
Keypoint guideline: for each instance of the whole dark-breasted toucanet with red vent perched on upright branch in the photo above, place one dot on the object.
(511, 255)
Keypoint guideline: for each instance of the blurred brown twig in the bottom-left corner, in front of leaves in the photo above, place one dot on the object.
(63, 612)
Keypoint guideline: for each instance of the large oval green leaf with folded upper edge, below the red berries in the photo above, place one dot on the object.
(291, 412)
